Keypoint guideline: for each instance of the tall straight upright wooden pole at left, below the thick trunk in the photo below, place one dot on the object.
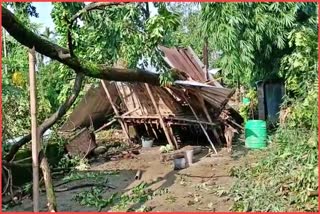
(34, 131)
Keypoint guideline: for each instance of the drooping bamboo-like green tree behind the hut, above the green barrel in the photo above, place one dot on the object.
(252, 36)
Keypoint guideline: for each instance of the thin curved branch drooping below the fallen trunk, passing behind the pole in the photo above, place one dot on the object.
(49, 122)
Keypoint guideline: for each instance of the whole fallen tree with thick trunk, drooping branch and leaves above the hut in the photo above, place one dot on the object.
(128, 31)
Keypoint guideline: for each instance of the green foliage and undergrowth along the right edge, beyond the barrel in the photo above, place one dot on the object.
(288, 171)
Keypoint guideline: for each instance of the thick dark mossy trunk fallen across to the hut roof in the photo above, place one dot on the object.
(29, 39)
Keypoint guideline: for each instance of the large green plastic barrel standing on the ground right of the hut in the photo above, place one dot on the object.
(256, 134)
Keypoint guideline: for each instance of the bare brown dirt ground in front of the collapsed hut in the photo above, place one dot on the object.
(200, 187)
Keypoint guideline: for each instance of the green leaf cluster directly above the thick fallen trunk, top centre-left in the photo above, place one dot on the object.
(124, 32)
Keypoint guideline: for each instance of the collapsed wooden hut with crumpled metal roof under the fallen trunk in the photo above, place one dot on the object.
(195, 102)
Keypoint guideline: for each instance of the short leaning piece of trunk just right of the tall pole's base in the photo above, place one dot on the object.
(51, 198)
